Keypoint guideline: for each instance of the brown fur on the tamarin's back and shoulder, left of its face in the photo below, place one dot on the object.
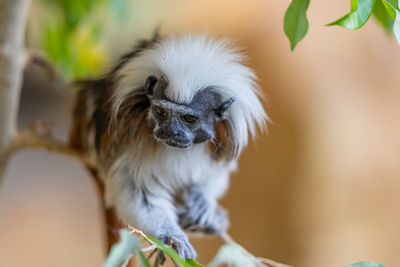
(99, 129)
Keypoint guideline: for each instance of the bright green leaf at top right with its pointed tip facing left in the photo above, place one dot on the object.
(361, 11)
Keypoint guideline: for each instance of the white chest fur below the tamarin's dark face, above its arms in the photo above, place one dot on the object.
(171, 170)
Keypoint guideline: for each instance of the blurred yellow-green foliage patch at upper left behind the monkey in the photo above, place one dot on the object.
(72, 35)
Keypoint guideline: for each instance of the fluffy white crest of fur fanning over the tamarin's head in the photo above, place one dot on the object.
(191, 63)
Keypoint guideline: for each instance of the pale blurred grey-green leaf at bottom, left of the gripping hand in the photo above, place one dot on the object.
(123, 250)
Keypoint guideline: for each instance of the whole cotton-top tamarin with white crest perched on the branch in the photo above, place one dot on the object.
(165, 127)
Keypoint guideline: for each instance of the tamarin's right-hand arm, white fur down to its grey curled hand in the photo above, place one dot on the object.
(201, 212)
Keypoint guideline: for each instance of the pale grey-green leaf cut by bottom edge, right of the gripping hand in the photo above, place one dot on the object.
(232, 254)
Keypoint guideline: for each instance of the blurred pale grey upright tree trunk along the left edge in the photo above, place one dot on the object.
(13, 15)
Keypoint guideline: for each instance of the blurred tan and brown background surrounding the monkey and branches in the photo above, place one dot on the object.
(321, 188)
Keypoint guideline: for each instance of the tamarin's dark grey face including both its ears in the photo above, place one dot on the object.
(181, 125)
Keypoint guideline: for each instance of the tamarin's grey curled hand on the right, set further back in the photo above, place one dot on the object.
(203, 215)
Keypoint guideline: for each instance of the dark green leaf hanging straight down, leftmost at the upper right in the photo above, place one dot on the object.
(295, 22)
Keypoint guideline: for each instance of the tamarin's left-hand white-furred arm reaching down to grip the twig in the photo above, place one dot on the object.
(151, 210)
